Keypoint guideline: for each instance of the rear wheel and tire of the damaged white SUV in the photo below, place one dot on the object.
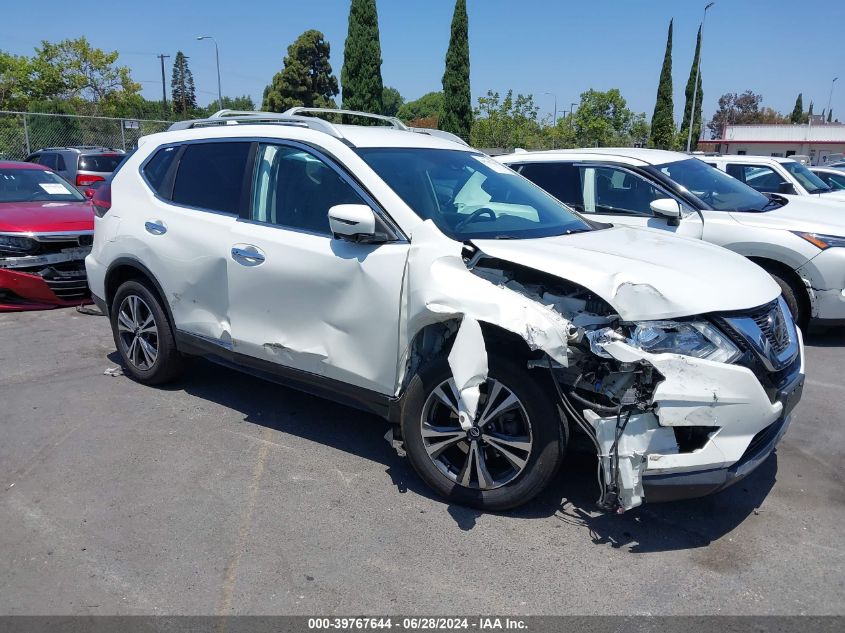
(143, 336)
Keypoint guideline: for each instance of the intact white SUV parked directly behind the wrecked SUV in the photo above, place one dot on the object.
(799, 240)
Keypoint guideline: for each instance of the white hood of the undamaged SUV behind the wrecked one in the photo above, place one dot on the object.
(812, 214)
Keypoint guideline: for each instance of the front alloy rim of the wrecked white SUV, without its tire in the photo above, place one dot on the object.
(490, 454)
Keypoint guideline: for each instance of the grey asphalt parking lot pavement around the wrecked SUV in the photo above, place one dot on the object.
(224, 494)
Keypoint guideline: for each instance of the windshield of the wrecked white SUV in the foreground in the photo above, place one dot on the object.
(470, 195)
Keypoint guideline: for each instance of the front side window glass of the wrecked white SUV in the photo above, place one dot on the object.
(295, 189)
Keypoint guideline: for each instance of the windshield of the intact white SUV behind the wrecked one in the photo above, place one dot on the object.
(713, 186)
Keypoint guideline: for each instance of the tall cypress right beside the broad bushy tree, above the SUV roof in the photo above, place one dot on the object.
(361, 72)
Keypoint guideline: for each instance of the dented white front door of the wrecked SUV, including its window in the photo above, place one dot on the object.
(300, 298)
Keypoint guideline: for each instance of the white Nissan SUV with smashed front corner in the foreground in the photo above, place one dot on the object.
(404, 273)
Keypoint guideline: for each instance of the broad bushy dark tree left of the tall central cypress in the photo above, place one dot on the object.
(306, 79)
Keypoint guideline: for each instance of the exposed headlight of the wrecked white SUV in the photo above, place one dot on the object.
(690, 338)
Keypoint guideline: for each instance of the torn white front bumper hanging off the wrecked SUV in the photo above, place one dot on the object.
(738, 420)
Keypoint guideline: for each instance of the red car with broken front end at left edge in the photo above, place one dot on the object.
(46, 230)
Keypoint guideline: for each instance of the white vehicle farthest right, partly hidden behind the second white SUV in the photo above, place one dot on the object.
(768, 174)
